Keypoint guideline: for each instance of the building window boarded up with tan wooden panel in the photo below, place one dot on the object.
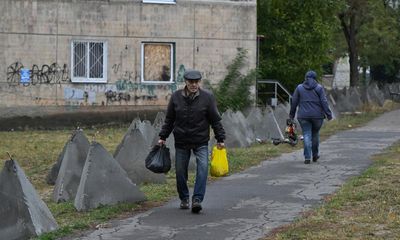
(157, 62)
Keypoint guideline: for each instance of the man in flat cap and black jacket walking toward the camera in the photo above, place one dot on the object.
(191, 111)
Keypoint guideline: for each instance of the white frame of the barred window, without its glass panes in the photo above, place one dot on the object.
(87, 79)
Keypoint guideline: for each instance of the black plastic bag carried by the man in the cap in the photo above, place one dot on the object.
(159, 159)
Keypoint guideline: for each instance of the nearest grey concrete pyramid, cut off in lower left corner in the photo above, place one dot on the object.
(23, 213)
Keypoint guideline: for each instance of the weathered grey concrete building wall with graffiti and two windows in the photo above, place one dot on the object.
(74, 56)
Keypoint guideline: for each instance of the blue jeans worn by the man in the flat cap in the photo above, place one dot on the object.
(182, 157)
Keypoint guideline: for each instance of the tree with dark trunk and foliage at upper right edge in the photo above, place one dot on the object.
(371, 29)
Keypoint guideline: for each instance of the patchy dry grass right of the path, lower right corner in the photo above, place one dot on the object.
(366, 207)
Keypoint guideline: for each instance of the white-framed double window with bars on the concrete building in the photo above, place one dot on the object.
(89, 61)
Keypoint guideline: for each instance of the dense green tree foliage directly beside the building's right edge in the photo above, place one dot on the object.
(298, 36)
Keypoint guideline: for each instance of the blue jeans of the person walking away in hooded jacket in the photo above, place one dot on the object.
(310, 128)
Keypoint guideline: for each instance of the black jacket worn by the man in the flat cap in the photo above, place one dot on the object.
(190, 119)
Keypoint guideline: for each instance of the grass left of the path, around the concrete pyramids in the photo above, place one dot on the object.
(36, 152)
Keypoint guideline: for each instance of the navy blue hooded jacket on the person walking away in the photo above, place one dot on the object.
(310, 99)
